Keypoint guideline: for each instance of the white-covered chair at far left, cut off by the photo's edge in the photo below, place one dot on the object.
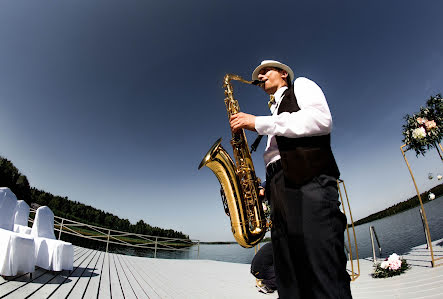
(15, 248)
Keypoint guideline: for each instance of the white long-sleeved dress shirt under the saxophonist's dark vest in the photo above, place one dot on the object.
(313, 118)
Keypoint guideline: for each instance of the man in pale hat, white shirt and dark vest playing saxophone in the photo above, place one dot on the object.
(301, 173)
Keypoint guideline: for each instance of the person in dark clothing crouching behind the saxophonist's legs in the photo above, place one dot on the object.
(262, 267)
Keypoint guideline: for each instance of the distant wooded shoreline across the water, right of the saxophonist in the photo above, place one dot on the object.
(402, 206)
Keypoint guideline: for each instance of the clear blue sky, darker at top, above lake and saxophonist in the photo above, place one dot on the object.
(114, 103)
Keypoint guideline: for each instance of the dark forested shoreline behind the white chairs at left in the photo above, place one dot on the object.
(11, 177)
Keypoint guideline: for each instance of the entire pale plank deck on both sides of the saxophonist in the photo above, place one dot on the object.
(97, 274)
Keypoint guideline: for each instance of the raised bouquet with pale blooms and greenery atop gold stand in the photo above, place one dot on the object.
(424, 130)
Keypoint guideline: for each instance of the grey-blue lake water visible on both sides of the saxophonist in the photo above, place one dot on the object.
(397, 233)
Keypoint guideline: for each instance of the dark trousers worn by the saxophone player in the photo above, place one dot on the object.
(308, 239)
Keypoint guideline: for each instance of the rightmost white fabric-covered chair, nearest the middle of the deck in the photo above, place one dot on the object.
(51, 254)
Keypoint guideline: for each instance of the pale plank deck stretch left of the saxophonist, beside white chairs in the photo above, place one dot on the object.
(97, 274)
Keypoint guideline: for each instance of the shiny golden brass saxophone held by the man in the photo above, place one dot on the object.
(239, 184)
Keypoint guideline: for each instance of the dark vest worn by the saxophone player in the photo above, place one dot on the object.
(306, 157)
